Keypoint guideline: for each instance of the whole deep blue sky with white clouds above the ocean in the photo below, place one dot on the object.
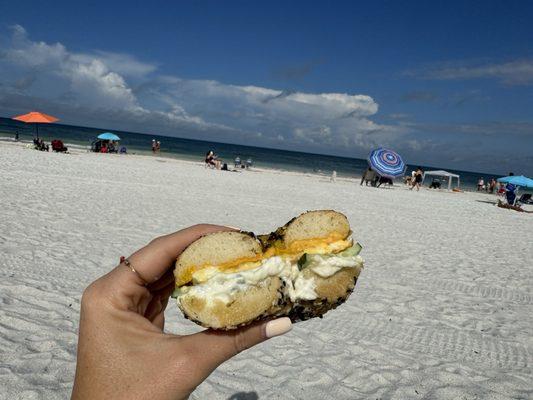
(445, 83)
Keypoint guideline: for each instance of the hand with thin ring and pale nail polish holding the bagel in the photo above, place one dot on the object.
(123, 352)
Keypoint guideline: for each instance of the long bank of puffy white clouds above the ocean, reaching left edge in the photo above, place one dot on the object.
(119, 86)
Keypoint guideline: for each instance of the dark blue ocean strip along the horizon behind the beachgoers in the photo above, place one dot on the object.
(195, 150)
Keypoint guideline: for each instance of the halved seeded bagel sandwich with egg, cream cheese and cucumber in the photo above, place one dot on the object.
(309, 266)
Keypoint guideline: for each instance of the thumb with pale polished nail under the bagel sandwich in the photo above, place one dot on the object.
(212, 348)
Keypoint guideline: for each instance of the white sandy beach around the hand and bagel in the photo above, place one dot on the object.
(443, 309)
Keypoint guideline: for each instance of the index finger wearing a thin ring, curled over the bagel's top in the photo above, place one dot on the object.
(152, 261)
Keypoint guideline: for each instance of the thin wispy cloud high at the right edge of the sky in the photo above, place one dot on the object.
(516, 72)
